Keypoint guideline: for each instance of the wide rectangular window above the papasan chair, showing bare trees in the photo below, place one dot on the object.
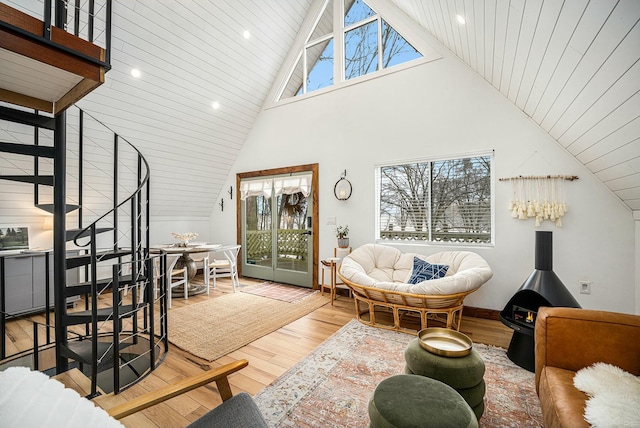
(436, 201)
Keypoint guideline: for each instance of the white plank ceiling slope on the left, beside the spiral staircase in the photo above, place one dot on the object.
(192, 54)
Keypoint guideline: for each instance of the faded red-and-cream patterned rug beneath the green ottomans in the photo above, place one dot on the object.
(331, 387)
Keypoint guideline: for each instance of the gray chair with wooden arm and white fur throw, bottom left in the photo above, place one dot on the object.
(31, 398)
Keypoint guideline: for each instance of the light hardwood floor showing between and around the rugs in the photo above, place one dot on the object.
(269, 357)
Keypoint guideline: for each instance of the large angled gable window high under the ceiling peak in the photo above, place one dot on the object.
(370, 44)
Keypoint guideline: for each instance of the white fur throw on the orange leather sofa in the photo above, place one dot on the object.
(615, 396)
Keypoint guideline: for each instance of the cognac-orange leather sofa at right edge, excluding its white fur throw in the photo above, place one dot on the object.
(568, 339)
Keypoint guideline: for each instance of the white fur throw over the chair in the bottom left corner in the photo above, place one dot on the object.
(30, 399)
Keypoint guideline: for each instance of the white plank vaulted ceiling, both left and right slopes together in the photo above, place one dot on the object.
(570, 65)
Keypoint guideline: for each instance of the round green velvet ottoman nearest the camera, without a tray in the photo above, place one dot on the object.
(406, 401)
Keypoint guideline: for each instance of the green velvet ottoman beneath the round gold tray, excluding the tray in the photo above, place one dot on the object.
(464, 374)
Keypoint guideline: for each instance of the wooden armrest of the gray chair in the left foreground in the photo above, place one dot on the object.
(219, 375)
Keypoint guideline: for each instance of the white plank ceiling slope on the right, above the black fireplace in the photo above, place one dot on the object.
(571, 66)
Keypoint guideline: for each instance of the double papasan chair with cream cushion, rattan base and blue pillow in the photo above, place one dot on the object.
(383, 277)
